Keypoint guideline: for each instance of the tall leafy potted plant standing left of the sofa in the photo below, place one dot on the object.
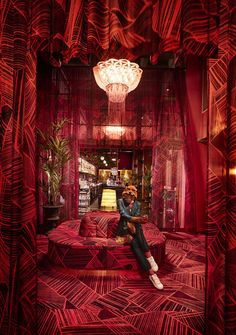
(55, 152)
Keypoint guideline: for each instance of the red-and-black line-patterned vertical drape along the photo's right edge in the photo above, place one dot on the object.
(221, 238)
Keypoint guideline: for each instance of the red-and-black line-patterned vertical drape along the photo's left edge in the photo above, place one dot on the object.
(17, 176)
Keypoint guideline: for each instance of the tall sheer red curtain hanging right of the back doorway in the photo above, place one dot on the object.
(177, 160)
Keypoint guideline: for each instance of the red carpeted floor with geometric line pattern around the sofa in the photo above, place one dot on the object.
(97, 302)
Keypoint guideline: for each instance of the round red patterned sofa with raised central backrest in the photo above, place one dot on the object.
(90, 243)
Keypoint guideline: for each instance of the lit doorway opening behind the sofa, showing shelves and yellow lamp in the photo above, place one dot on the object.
(105, 172)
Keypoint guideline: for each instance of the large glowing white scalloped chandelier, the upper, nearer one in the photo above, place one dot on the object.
(117, 77)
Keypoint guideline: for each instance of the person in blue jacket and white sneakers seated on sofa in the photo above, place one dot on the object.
(130, 231)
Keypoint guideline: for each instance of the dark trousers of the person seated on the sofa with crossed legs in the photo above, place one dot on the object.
(140, 246)
